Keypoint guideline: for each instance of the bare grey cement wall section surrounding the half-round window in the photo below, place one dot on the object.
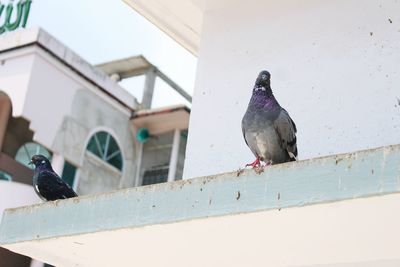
(90, 114)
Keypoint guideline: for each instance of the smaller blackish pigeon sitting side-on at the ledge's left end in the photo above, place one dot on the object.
(47, 184)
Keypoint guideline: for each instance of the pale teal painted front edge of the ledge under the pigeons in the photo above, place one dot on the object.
(327, 179)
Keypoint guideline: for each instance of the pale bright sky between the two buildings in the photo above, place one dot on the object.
(104, 30)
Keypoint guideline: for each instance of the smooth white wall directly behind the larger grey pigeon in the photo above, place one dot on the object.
(334, 67)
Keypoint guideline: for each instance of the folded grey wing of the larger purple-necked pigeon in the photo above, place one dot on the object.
(286, 130)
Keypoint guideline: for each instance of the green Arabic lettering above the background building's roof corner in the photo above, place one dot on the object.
(13, 16)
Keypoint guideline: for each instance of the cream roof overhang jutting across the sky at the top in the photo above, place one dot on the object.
(180, 19)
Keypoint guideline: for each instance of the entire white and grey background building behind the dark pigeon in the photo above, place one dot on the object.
(53, 102)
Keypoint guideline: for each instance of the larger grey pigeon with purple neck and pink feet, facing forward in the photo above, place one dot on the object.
(267, 128)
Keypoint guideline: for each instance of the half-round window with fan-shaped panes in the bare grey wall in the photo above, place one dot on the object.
(104, 146)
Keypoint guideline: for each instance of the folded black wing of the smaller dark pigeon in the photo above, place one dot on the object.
(52, 187)
